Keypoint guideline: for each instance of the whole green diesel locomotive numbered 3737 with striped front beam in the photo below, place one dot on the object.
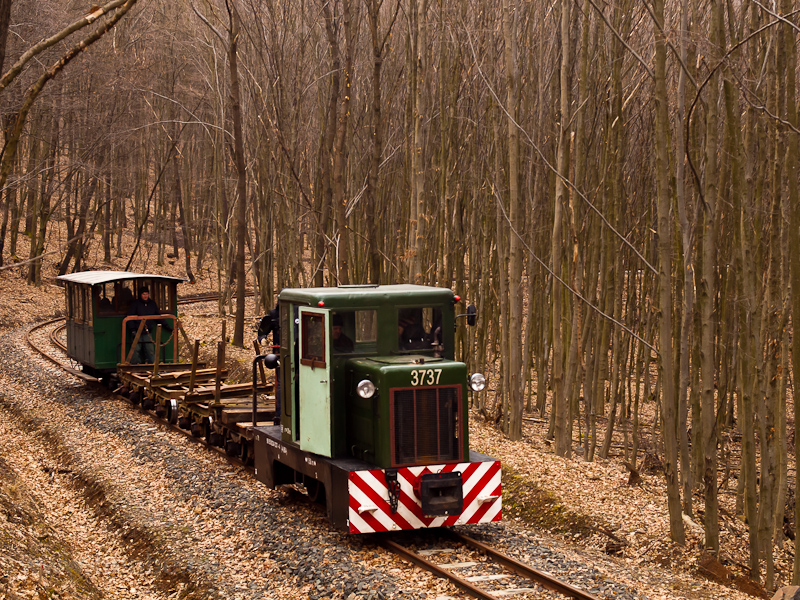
(374, 417)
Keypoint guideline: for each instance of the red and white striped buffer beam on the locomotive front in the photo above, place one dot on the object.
(371, 509)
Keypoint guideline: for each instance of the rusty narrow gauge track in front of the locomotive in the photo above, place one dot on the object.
(498, 560)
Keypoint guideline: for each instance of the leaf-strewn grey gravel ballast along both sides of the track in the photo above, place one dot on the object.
(167, 517)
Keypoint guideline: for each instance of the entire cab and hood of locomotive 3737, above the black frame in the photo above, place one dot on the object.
(400, 339)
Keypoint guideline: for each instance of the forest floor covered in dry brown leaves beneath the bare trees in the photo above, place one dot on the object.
(590, 506)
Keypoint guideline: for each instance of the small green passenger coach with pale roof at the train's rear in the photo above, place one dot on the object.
(97, 303)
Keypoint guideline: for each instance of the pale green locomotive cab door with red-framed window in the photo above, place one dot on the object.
(314, 378)
